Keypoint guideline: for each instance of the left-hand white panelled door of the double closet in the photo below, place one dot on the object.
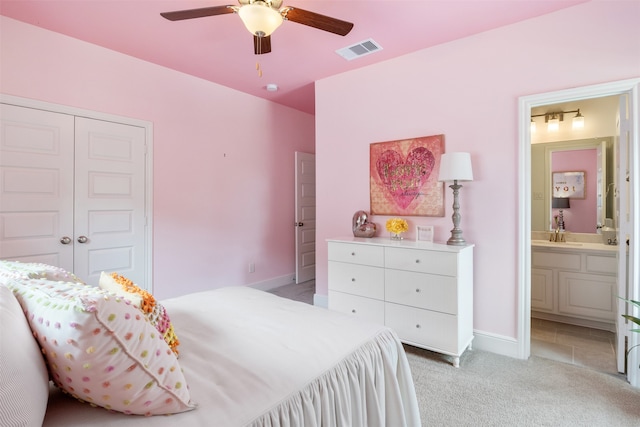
(36, 186)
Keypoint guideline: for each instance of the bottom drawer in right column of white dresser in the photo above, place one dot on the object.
(430, 329)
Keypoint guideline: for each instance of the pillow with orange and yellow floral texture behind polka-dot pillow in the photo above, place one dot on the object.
(153, 310)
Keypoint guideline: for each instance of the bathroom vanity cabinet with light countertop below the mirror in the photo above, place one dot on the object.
(574, 282)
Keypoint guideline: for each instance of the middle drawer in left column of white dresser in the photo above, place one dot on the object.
(356, 279)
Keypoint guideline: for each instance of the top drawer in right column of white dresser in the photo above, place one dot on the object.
(422, 261)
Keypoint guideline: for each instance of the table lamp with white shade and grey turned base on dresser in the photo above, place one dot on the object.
(455, 167)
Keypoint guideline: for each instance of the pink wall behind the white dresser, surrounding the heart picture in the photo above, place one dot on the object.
(467, 90)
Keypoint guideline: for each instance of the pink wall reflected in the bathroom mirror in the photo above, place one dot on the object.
(581, 217)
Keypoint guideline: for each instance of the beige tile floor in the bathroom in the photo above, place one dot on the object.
(578, 345)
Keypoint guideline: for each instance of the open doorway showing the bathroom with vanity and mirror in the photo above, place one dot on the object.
(583, 333)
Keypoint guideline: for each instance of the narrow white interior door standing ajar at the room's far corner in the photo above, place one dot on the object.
(305, 218)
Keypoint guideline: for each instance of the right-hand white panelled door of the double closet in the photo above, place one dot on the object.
(110, 222)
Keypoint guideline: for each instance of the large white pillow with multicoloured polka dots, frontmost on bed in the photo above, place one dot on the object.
(100, 348)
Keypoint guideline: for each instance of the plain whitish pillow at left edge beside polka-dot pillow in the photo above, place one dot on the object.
(24, 381)
